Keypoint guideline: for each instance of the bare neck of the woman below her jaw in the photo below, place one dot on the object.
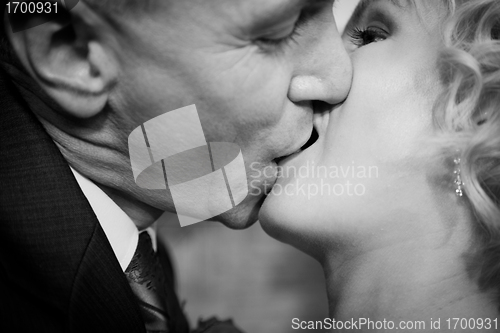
(407, 271)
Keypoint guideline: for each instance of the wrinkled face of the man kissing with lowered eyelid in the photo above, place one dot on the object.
(251, 67)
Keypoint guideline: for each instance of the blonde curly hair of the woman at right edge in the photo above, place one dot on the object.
(468, 114)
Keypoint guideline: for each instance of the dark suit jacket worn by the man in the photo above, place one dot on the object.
(58, 272)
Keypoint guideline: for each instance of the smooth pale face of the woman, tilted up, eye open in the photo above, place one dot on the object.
(372, 164)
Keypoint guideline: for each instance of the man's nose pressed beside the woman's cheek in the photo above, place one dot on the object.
(323, 69)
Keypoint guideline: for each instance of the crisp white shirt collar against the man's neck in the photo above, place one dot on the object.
(119, 228)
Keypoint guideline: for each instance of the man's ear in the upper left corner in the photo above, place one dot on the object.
(71, 58)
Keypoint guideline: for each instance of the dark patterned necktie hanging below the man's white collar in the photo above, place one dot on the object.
(147, 280)
